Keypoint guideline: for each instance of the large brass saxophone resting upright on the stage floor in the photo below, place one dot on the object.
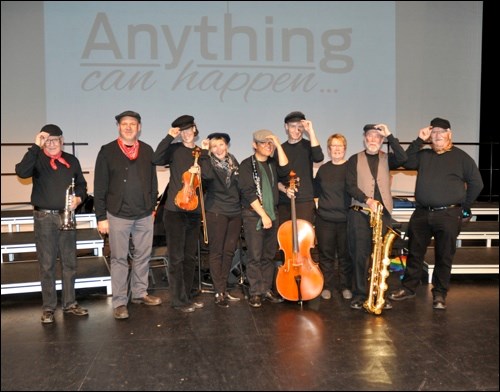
(381, 251)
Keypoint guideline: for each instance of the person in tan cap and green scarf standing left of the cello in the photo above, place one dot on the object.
(259, 199)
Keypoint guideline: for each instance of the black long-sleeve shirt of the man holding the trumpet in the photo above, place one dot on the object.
(49, 185)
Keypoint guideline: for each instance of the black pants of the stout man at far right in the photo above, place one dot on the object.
(444, 226)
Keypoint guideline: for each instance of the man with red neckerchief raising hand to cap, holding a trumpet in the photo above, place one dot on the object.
(53, 171)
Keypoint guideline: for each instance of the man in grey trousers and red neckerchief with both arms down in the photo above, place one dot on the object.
(125, 194)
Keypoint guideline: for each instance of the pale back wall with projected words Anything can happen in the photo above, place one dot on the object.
(237, 67)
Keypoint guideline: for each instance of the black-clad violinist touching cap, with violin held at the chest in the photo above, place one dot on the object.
(182, 215)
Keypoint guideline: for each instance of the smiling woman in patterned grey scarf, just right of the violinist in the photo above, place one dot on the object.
(223, 211)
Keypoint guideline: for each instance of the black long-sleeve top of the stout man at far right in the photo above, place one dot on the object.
(443, 179)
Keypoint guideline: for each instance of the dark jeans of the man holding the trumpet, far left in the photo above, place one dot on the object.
(51, 242)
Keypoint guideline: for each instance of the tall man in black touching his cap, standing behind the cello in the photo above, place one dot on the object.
(302, 155)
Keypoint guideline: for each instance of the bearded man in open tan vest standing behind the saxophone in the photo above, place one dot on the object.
(368, 184)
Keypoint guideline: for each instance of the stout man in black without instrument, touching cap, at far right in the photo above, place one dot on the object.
(448, 182)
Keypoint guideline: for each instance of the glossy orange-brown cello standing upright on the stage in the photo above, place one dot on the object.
(299, 278)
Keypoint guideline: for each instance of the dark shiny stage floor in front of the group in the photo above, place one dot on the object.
(324, 345)
